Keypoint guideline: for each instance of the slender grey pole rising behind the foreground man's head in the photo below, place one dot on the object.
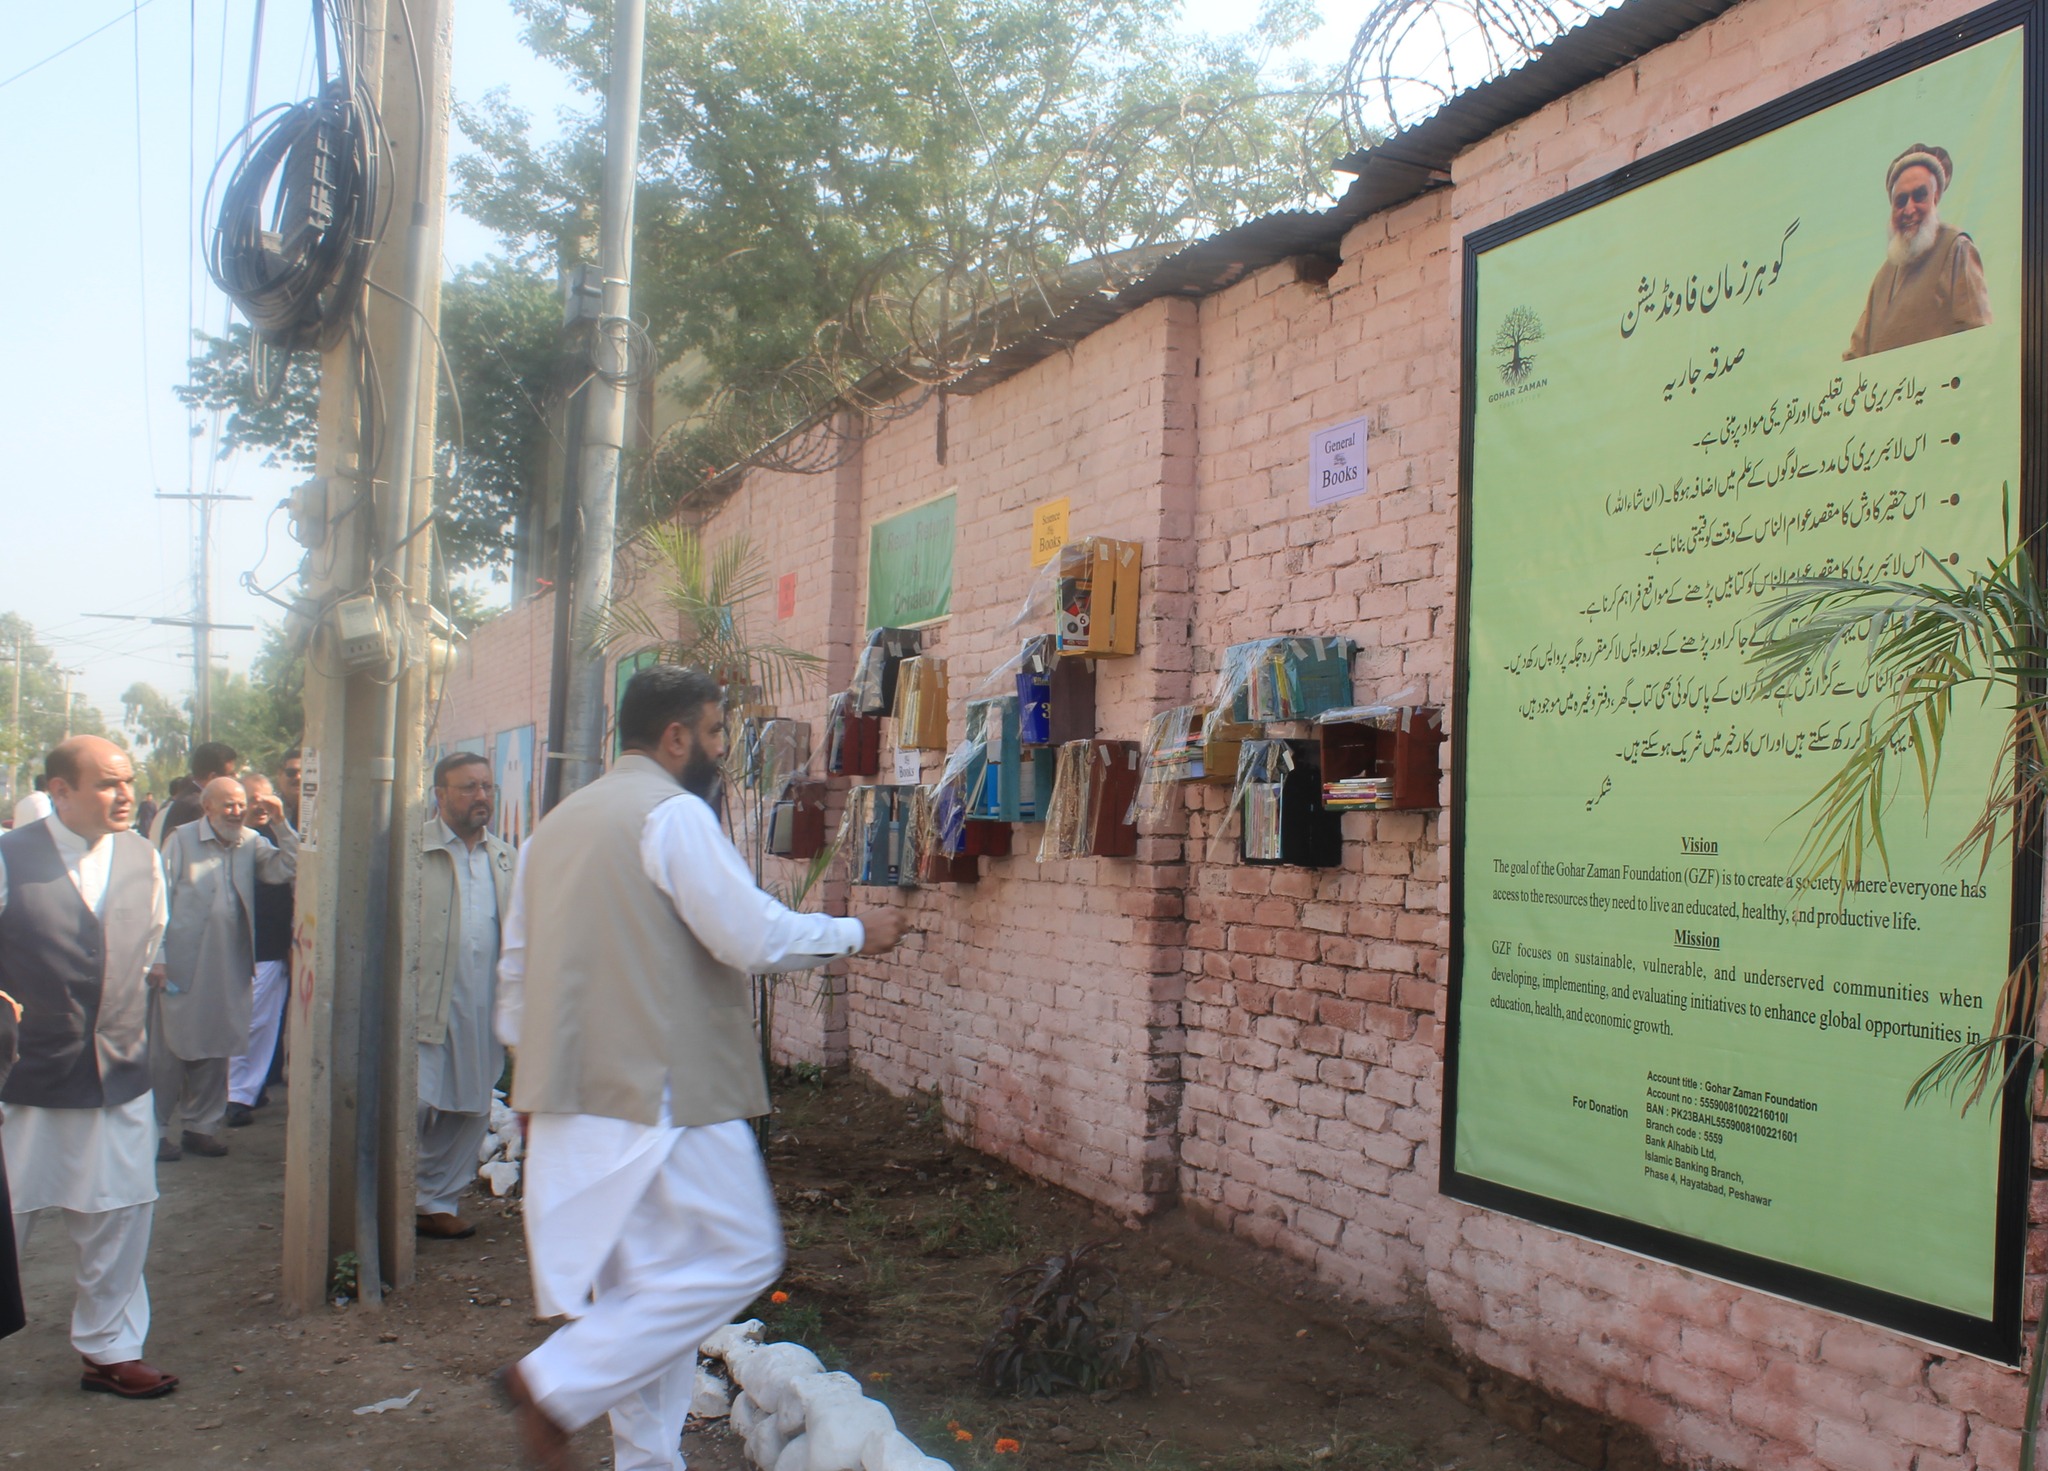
(605, 398)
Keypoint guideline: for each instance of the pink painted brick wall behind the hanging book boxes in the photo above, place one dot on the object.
(1265, 1046)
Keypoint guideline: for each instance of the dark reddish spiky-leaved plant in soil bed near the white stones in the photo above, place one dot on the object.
(1070, 1325)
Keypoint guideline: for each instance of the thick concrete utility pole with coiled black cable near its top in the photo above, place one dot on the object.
(351, 1132)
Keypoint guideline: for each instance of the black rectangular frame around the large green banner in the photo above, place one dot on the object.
(2000, 1337)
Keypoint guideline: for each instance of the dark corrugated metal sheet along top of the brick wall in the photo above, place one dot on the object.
(1408, 165)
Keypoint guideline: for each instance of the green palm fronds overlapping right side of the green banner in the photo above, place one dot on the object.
(1930, 644)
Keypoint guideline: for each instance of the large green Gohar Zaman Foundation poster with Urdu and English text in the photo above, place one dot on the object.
(1787, 349)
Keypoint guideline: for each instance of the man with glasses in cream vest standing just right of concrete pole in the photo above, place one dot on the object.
(466, 890)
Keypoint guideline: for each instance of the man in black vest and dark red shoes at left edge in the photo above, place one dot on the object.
(83, 913)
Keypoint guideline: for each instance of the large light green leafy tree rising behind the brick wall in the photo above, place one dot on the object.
(839, 185)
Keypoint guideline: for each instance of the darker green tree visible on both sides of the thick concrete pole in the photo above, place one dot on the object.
(501, 329)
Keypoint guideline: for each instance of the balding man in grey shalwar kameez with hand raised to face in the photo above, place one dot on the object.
(204, 999)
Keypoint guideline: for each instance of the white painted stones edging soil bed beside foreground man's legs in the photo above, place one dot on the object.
(796, 1417)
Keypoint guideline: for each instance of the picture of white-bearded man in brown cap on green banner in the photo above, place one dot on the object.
(1932, 280)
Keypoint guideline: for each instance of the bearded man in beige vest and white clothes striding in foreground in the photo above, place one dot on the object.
(624, 991)
